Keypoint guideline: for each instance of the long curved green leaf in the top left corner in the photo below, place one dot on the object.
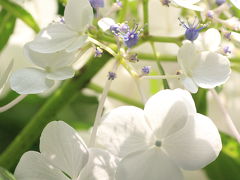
(21, 13)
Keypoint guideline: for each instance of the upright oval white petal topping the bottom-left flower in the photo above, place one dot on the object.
(61, 145)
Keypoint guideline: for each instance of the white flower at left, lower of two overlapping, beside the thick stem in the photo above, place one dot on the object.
(52, 67)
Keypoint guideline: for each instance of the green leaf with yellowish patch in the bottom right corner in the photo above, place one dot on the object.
(227, 165)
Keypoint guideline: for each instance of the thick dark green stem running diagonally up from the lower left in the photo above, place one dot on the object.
(30, 134)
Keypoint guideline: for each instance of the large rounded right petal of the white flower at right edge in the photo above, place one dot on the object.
(212, 70)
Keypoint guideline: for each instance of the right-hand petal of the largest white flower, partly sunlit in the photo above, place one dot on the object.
(196, 145)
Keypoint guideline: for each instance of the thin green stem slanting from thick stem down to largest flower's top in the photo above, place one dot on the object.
(116, 96)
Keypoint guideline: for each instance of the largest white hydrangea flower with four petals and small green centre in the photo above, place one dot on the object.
(156, 142)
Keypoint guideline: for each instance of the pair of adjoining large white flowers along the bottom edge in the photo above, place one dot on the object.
(154, 143)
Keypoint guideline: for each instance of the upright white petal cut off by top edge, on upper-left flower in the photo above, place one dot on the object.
(78, 14)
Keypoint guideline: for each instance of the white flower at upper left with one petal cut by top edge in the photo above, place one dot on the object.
(69, 35)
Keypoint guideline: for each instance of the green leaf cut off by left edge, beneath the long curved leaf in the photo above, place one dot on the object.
(7, 24)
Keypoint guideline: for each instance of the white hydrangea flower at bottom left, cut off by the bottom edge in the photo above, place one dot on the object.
(64, 156)
